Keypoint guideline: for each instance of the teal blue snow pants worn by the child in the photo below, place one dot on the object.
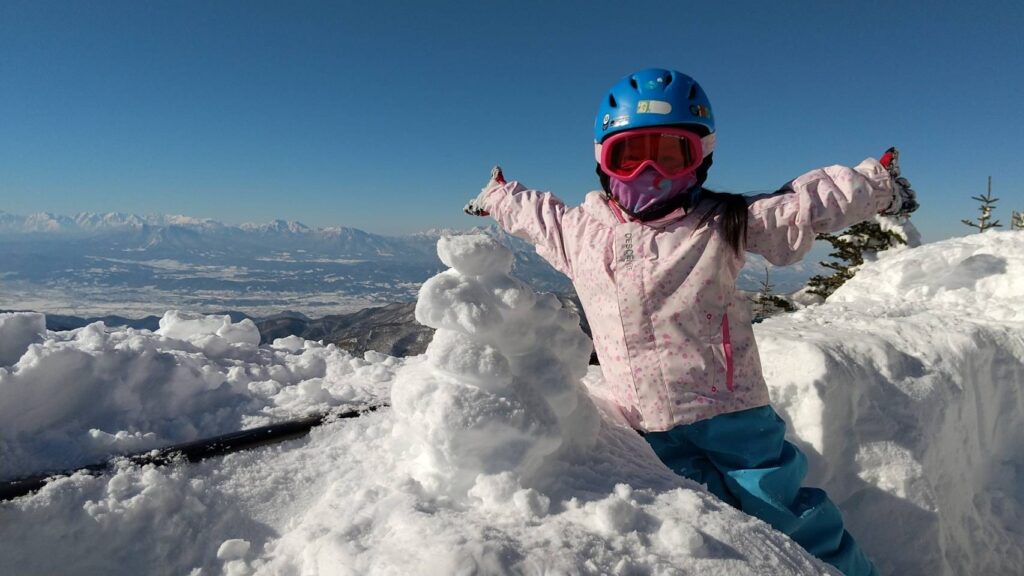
(744, 460)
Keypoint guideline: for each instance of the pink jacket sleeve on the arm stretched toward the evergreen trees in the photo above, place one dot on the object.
(782, 227)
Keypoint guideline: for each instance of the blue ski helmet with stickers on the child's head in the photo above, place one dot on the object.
(654, 97)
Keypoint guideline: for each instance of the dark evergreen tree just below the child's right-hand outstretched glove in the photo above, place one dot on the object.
(850, 248)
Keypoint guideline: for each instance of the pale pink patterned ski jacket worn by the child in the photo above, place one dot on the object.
(675, 341)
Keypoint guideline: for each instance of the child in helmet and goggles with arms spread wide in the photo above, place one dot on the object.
(655, 260)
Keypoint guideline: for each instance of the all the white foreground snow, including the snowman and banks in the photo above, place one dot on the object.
(905, 390)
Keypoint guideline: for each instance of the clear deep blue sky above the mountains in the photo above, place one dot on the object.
(388, 116)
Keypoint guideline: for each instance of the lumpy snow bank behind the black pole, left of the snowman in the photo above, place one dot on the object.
(69, 399)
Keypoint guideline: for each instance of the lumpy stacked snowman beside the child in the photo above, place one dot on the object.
(500, 390)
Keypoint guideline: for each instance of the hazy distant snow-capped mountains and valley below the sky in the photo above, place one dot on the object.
(97, 264)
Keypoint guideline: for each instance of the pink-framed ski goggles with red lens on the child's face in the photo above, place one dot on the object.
(672, 152)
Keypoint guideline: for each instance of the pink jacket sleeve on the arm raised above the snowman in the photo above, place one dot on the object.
(535, 217)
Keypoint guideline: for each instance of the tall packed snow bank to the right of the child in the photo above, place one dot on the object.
(907, 391)
